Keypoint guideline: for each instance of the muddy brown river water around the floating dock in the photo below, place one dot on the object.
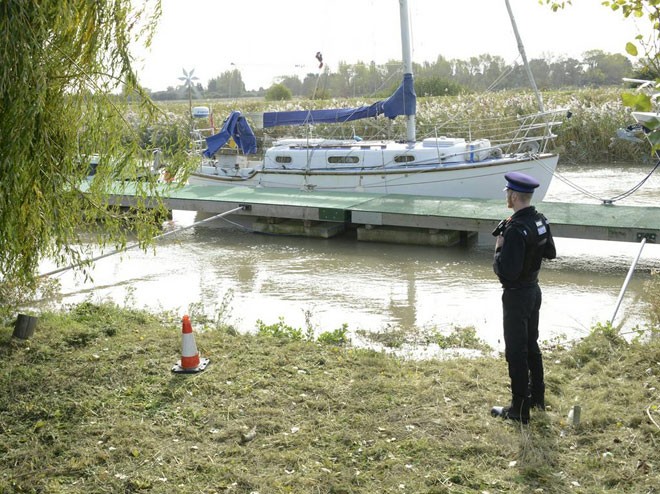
(380, 287)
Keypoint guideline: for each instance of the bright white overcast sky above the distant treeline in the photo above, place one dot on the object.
(269, 38)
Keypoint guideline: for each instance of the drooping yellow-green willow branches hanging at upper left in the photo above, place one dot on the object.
(62, 62)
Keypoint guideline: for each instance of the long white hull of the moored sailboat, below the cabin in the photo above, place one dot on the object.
(483, 180)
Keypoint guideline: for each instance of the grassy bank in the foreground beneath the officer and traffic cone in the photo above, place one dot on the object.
(89, 405)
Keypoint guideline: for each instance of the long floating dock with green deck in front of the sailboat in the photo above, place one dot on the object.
(399, 218)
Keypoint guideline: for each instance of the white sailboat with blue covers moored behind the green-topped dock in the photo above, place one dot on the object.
(439, 166)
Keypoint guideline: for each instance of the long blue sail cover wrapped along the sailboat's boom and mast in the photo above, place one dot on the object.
(402, 102)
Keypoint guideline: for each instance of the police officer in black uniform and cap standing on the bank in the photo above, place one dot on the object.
(522, 242)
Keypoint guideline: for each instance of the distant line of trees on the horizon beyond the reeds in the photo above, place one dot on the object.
(431, 78)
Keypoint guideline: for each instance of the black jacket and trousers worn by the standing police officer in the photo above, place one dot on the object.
(527, 240)
